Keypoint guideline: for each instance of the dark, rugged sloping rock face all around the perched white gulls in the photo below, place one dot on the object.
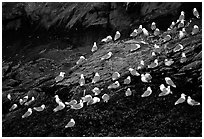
(32, 71)
